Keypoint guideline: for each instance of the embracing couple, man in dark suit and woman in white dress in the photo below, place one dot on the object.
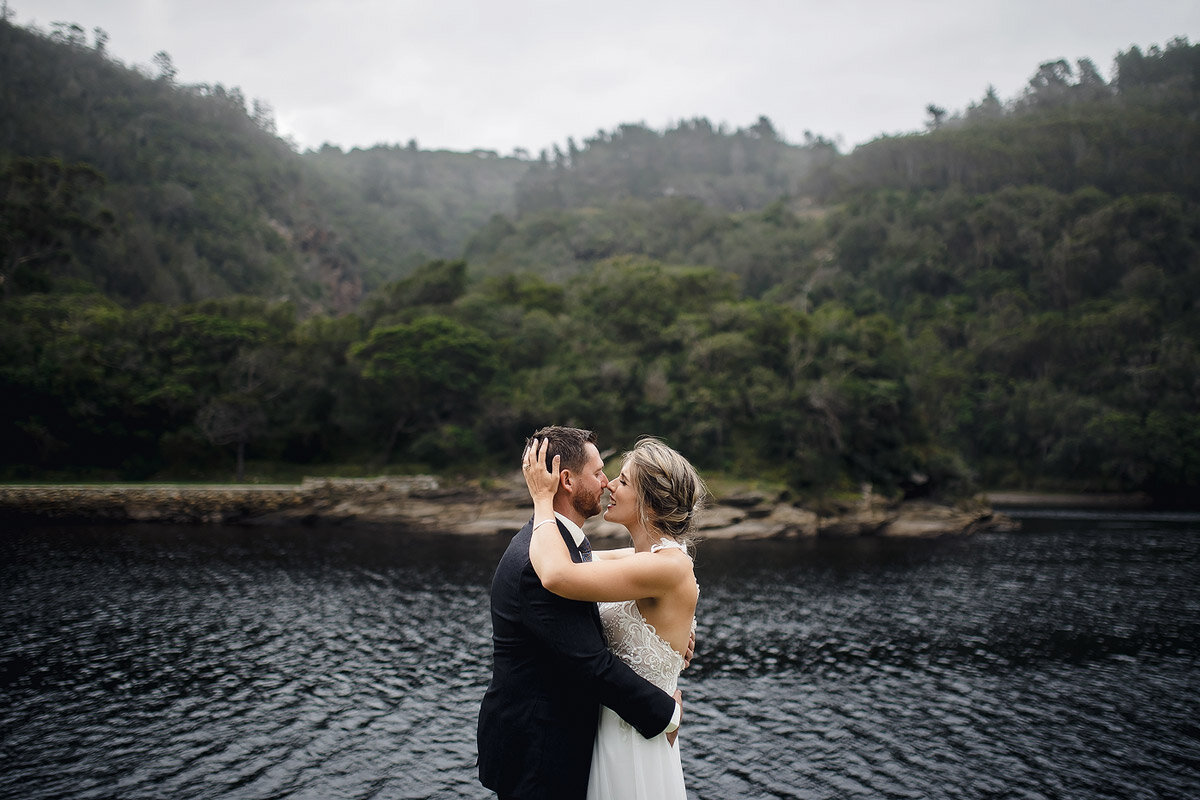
(589, 646)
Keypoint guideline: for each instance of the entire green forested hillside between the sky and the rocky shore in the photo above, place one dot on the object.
(1009, 298)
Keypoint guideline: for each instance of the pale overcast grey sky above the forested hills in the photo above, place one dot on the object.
(461, 75)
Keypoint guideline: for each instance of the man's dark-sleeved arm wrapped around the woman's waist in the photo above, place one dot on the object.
(568, 628)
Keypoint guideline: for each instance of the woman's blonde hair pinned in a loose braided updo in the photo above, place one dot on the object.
(670, 492)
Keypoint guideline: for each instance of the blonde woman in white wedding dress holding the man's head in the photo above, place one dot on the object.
(646, 593)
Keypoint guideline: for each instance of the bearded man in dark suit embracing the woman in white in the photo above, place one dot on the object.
(551, 670)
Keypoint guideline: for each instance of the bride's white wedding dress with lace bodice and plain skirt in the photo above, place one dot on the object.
(626, 766)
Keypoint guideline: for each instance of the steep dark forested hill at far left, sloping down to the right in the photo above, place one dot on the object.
(199, 201)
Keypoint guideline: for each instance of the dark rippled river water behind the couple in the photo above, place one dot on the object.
(1059, 661)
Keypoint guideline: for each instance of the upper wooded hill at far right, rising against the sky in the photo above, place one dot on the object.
(1067, 131)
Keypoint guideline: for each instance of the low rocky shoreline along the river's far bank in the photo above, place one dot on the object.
(423, 503)
